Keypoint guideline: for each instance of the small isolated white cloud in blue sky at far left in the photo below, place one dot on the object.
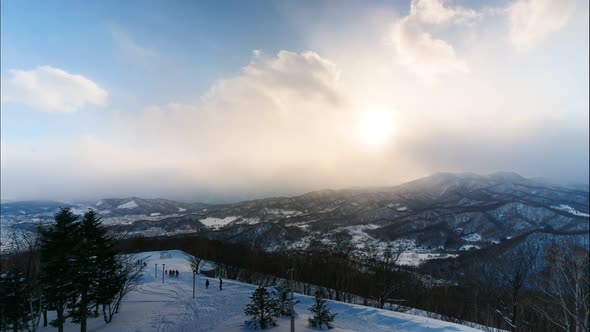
(51, 89)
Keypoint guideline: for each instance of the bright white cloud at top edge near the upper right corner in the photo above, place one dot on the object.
(531, 21)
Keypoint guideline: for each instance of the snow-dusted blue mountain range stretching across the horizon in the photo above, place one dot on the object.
(436, 216)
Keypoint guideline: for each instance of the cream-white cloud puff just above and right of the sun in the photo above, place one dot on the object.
(422, 53)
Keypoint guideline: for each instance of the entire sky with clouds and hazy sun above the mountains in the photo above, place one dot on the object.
(229, 100)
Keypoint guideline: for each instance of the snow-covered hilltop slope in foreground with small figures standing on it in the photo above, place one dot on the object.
(170, 307)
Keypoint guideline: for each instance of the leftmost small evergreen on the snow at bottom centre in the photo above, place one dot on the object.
(262, 308)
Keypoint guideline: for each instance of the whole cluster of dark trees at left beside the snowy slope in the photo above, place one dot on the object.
(71, 267)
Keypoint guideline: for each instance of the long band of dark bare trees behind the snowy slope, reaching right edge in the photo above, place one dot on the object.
(521, 289)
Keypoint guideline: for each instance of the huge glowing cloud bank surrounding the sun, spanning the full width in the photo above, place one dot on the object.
(288, 122)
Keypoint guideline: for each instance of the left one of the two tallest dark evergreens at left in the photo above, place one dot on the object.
(57, 271)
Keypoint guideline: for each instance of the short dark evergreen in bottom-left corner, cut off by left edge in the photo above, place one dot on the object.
(14, 311)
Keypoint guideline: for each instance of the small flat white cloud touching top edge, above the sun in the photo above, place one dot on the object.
(435, 12)
